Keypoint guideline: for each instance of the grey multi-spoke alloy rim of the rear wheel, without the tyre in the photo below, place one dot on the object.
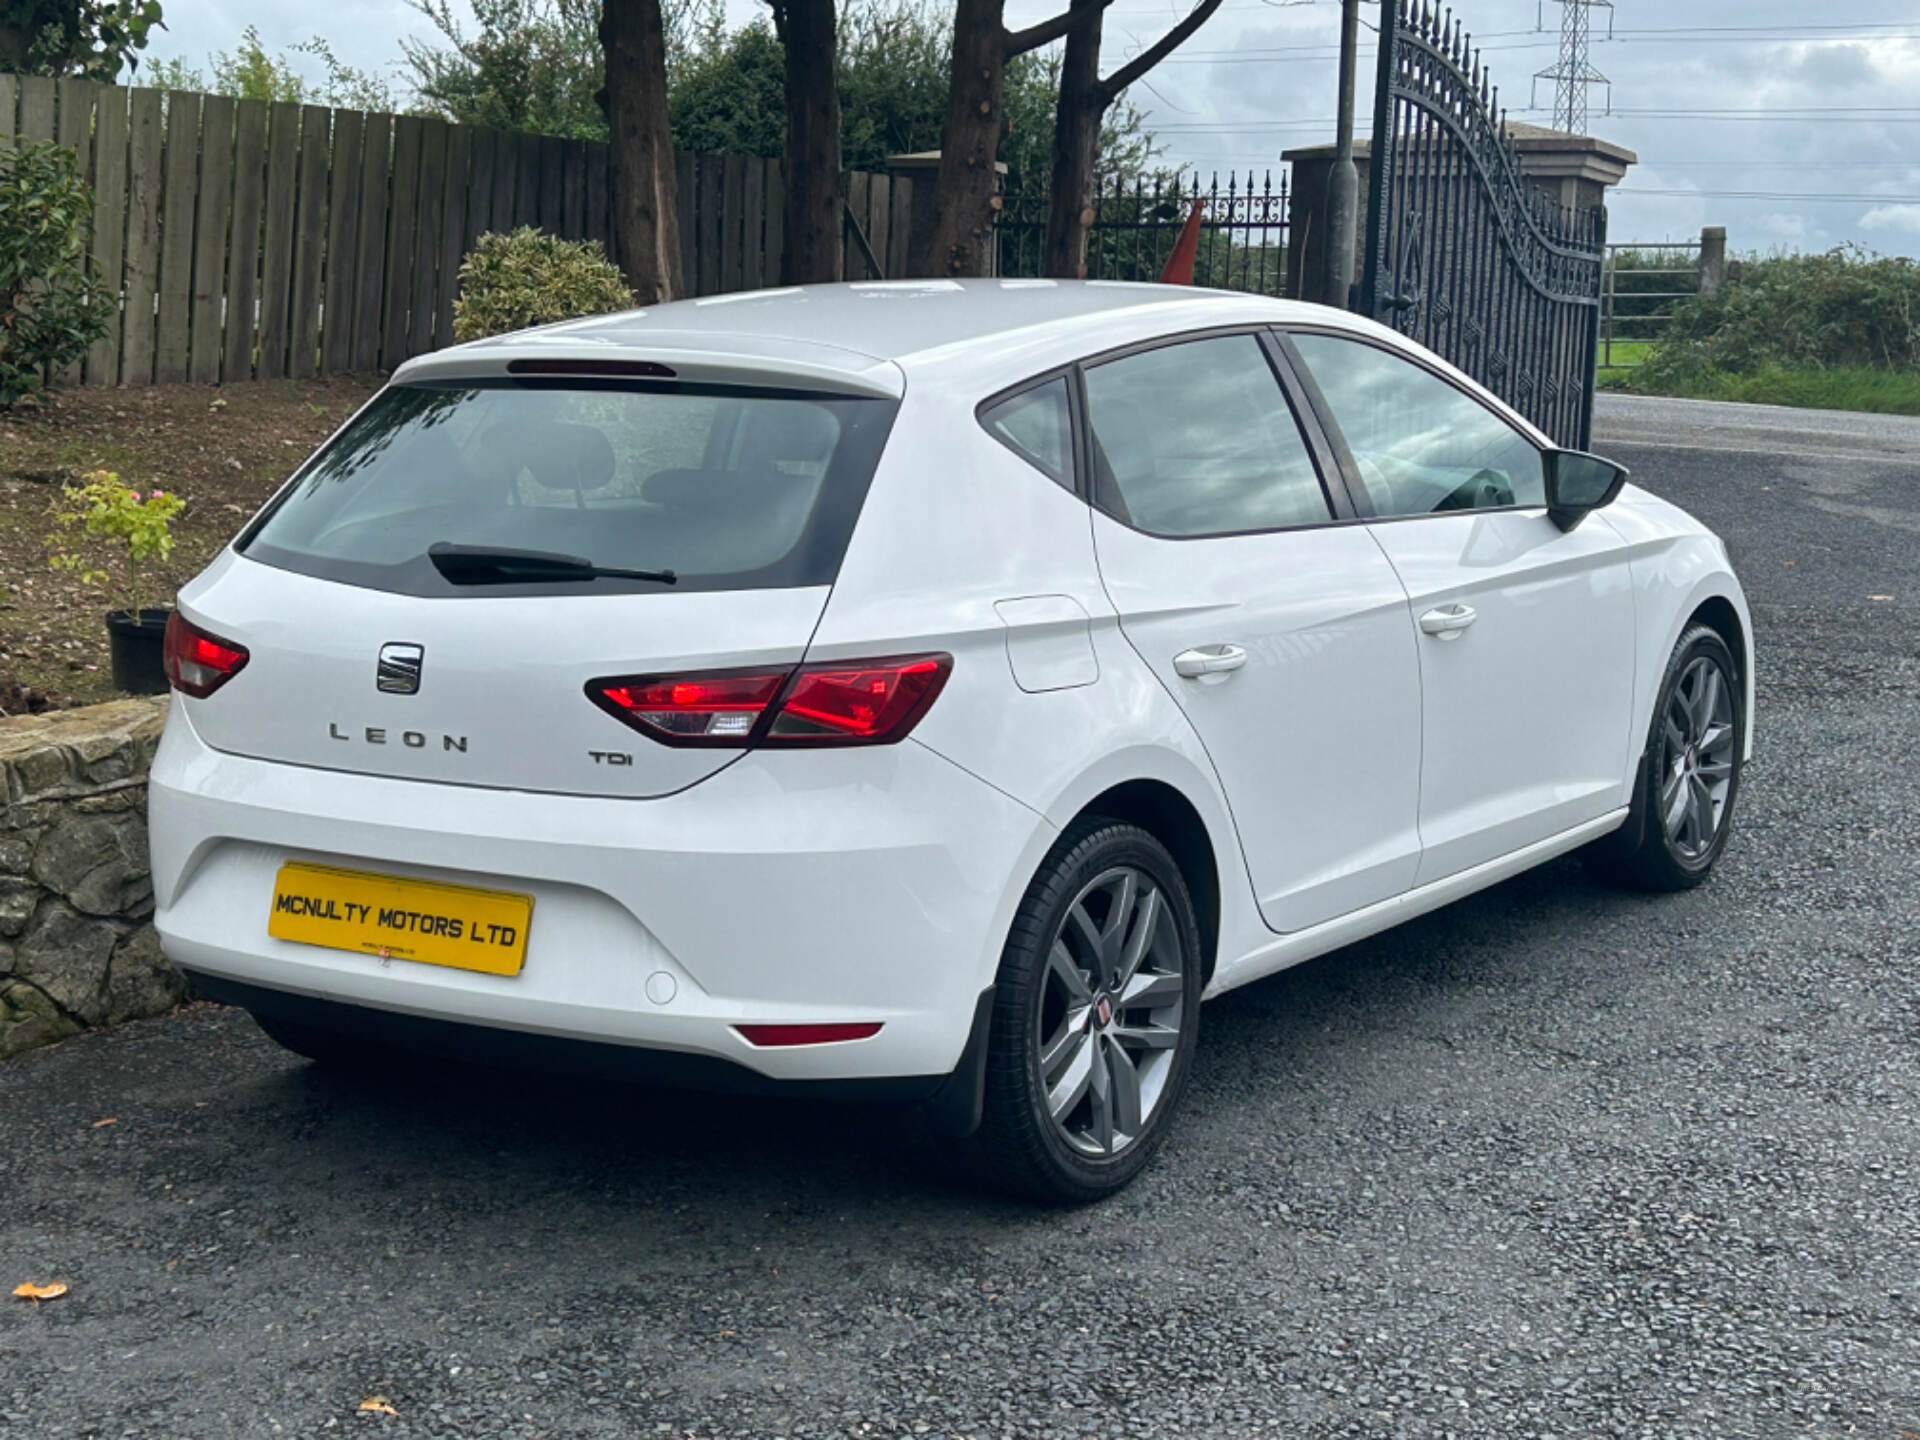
(1111, 1013)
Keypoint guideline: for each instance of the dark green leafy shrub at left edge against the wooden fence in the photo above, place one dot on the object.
(53, 306)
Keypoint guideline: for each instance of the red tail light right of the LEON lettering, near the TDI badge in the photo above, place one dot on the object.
(834, 704)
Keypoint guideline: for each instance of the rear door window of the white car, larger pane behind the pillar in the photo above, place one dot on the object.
(1197, 439)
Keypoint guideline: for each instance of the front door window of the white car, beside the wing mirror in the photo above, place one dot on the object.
(1422, 446)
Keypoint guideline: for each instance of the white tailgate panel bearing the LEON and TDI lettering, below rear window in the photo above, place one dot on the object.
(502, 686)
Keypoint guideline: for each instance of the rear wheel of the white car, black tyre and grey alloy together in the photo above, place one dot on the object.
(1095, 1017)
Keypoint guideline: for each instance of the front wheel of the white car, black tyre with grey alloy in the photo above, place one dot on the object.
(1689, 782)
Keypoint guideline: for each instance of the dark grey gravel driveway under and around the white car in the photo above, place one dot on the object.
(1552, 1163)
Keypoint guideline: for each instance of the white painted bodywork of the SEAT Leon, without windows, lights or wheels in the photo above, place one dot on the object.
(880, 884)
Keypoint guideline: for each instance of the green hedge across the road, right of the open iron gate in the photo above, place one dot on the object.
(1846, 308)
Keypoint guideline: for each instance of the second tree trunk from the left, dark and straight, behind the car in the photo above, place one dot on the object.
(813, 158)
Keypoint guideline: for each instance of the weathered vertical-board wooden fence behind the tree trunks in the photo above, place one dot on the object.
(260, 241)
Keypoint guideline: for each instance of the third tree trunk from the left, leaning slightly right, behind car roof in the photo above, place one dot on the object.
(967, 203)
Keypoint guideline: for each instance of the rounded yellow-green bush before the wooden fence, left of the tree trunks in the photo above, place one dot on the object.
(529, 277)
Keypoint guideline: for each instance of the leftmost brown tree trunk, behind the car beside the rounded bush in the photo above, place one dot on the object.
(644, 212)
